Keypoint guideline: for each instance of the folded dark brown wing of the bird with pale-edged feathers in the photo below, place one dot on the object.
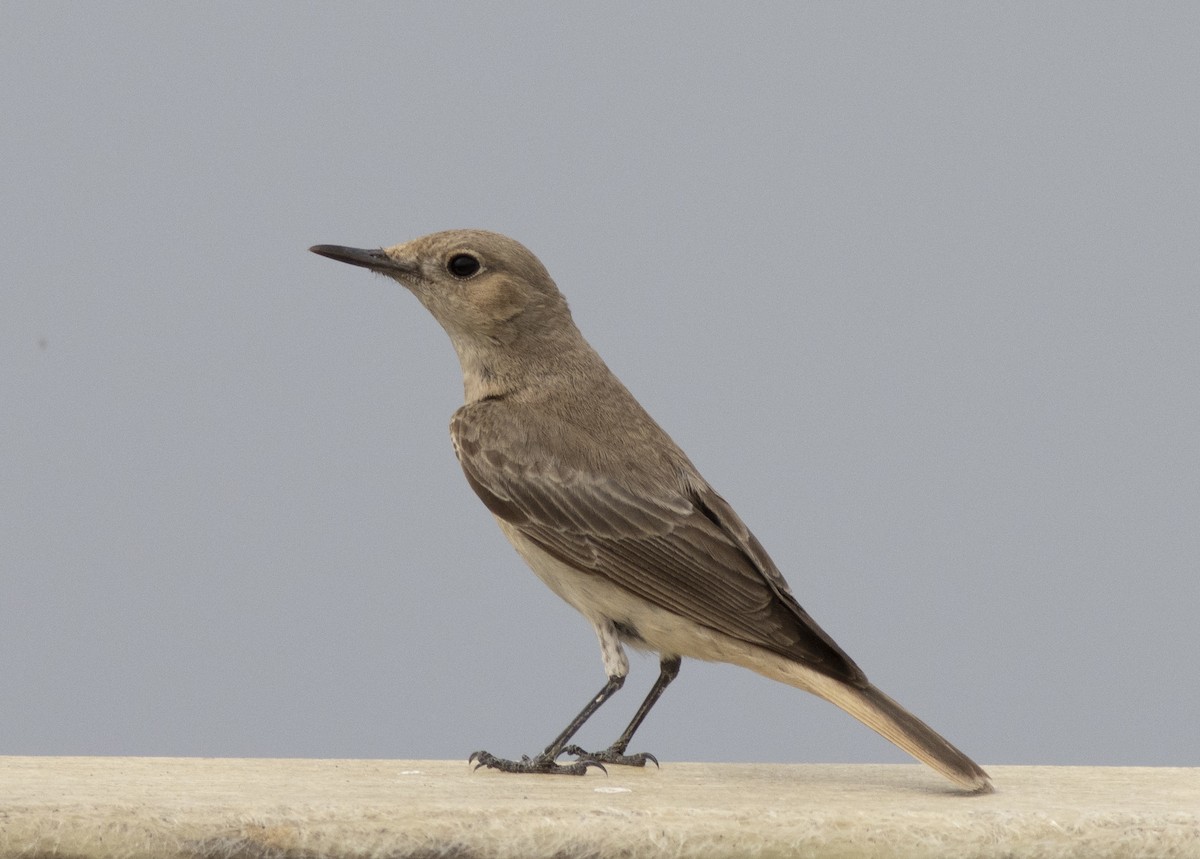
(683, 550)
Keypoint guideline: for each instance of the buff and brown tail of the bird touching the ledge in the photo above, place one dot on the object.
(884, 716)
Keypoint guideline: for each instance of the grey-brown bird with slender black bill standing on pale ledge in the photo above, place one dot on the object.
(608, 510)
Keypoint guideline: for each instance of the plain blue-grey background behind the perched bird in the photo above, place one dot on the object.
(916, 286)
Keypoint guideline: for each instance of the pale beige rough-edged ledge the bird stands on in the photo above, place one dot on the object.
(247, 809)
